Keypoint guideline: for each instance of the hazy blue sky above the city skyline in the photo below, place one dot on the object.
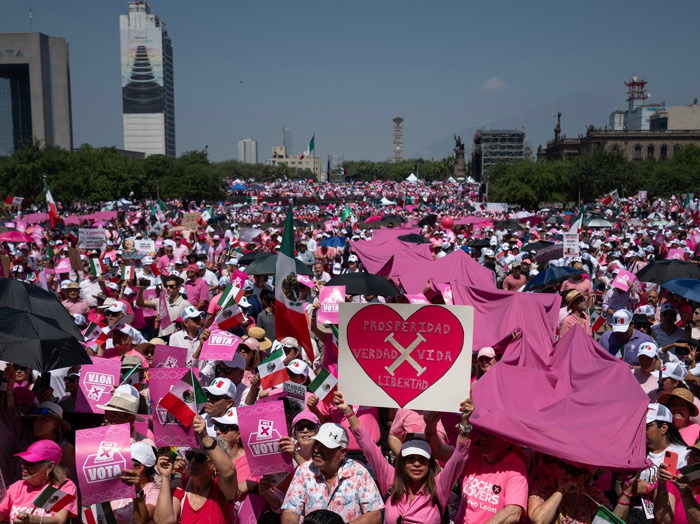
(344, 70)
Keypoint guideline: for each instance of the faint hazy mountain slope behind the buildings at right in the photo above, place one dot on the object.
(579, 110)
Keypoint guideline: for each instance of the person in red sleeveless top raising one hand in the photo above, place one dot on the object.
(210, 490)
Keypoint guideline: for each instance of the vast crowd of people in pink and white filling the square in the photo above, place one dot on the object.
(352, 463)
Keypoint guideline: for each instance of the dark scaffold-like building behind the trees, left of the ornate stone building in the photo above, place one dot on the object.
(492, 146)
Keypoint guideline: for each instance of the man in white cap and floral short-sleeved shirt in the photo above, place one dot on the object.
(332, 481)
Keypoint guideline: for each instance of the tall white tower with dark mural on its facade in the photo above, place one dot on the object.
(148, 95)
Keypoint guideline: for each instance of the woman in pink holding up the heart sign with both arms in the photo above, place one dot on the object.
(418, 492)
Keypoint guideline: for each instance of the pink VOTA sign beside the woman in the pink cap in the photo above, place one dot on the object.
(101, 455)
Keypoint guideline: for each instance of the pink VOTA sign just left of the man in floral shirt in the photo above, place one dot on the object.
(262, 425)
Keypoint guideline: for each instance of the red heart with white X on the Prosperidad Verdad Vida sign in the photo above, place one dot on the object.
(361, 340)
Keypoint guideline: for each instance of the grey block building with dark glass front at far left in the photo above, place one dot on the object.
(34, 91)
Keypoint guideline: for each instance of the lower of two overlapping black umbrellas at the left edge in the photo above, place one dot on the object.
(37, 342)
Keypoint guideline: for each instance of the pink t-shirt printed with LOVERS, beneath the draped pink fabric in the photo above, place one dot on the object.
(488, 488)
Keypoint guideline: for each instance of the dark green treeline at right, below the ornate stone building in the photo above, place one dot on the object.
(530, 184)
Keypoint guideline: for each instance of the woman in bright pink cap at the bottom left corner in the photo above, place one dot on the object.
(41, 475)
